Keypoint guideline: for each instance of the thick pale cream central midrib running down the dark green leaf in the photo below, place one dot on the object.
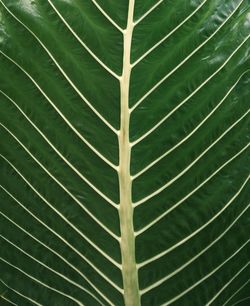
(129, 269)
